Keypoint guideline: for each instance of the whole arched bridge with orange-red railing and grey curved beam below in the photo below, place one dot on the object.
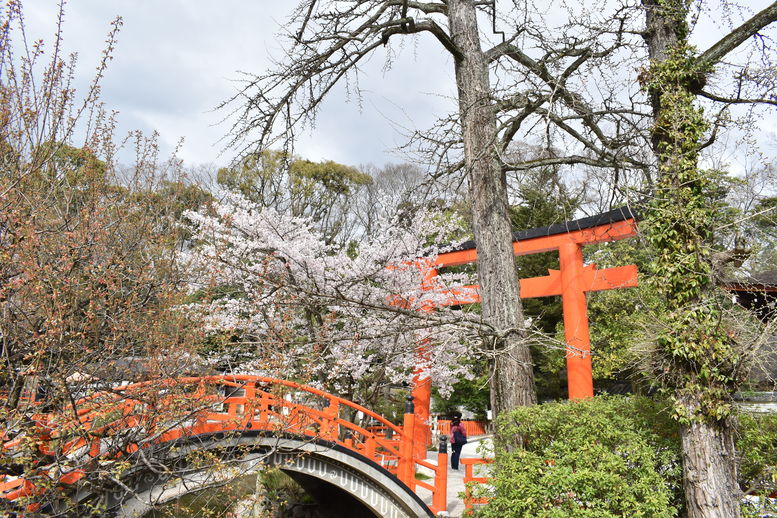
(151, 438)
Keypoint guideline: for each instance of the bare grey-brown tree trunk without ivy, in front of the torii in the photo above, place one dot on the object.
(512, 379)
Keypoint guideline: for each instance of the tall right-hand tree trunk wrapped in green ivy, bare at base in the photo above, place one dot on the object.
(709, 459)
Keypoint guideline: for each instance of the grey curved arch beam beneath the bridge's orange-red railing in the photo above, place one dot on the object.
(341, 480)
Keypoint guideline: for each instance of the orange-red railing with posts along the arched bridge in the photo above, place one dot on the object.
(111, 424)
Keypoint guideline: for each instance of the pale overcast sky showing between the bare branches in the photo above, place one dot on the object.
(176, 60)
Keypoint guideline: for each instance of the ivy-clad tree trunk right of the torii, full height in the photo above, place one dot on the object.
(696, 357)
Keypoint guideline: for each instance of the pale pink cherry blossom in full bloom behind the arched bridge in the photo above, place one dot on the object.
(339, 316)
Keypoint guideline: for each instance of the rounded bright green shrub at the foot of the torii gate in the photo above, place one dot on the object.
(599, 458)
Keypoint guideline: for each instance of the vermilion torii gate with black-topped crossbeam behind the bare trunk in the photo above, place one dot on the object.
(571, 281)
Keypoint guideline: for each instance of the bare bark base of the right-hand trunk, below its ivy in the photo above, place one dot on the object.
(709, 470)
